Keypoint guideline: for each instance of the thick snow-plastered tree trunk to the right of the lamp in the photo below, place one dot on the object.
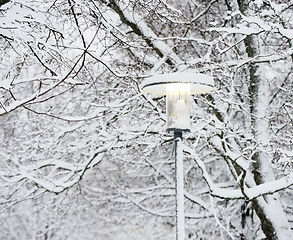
(268, 208)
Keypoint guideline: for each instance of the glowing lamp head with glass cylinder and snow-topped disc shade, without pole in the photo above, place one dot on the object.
(178, 87)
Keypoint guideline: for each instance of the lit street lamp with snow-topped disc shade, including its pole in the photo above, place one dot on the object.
(178, 87)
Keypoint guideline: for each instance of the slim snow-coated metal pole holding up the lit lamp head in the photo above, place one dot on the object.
(179, 185)
